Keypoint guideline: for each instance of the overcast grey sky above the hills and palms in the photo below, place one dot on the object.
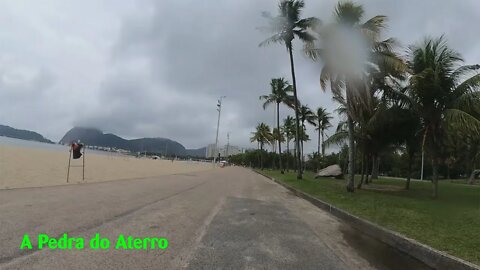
(148, 68)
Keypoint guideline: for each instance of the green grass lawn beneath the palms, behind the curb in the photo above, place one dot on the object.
(450, 223)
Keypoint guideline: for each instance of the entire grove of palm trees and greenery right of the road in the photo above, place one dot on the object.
(401, 114)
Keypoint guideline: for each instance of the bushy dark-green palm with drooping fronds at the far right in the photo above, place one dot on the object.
(443, 94)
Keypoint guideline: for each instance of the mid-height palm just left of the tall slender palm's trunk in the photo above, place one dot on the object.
(280, 93)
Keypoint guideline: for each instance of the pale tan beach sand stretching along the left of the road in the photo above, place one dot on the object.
(25, 167)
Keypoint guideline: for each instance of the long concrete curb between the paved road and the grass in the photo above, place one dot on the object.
(428, 255)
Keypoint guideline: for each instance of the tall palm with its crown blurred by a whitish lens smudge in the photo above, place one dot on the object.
(349, 49)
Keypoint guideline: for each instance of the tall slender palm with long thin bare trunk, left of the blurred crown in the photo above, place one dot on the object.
(287, 26)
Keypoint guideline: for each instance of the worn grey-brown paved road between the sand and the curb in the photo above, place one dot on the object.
(228, 218)
